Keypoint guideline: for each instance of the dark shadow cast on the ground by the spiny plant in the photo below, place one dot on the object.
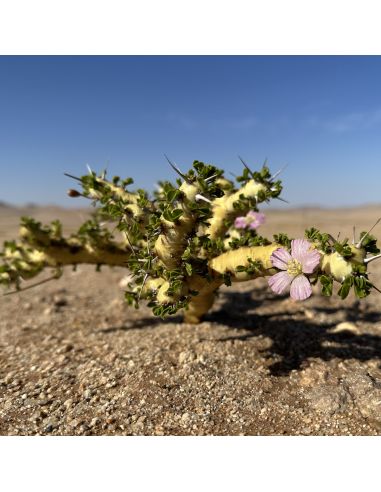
(294, 341)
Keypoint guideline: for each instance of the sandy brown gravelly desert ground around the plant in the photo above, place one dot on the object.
(76, 360)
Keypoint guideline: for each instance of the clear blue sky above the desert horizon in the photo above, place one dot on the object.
(320, 115)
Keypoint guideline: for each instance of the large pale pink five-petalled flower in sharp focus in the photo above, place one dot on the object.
(302, 260)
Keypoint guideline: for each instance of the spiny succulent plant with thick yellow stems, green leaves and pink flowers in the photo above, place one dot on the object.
(192, 236)
